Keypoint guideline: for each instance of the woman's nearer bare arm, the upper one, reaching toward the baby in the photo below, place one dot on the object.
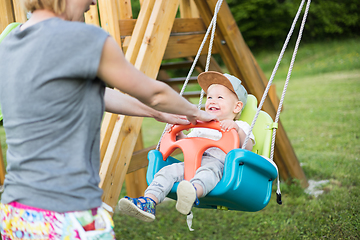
(115, 70)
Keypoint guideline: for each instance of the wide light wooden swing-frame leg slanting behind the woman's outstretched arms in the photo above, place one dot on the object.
(148, 61)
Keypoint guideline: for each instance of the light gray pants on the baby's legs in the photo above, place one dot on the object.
(207, 176)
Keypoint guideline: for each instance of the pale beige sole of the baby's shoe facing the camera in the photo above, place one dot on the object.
(186, 196)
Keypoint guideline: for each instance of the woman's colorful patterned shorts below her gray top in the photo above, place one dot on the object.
(19, 221)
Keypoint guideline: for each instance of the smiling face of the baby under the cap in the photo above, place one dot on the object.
(221, 102)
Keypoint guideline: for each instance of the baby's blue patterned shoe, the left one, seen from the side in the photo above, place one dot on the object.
(142, 208)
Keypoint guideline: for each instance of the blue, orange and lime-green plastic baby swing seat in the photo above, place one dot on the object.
(247, 180)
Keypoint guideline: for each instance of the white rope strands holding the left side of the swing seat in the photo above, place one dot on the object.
(212, 27)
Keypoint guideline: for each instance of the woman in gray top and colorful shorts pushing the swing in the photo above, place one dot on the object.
(53, 94)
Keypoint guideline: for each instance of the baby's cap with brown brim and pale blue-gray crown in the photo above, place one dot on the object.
(205, 79)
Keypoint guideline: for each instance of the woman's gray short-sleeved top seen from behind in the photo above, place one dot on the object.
(52, 103)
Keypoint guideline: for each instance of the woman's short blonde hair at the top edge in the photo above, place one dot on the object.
(57, 6)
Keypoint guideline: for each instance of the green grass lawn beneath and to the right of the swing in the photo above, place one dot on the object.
(321, 117)
